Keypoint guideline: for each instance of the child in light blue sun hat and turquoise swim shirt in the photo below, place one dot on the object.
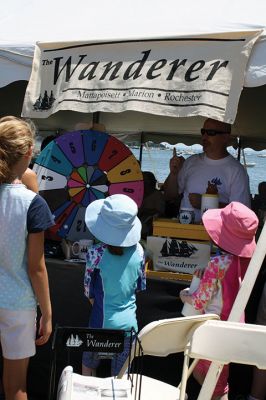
(115, 270)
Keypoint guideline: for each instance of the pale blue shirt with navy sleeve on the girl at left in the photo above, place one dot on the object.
(16, 292)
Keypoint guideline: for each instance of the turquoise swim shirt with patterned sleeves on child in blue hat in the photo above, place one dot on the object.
(112, 281)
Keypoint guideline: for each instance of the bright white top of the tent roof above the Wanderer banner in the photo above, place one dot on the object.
(23, 22)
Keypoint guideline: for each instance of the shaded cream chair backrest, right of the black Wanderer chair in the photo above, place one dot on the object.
(167, 336)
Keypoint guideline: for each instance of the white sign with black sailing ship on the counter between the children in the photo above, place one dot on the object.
(178, 255)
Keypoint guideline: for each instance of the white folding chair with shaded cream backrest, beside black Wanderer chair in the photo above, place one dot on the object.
(161, 338)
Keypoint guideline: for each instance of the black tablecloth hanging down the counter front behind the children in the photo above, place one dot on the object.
(71, 308)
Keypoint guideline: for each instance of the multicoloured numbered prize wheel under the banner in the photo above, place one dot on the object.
(79, 167)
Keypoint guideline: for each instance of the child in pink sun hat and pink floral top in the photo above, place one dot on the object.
(233, 230)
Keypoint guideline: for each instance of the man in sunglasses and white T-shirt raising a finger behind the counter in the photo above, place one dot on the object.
(214, 165)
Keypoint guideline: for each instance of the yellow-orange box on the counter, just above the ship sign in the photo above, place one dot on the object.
(171, 228)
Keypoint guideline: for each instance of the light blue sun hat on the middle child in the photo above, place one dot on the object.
(114, 220)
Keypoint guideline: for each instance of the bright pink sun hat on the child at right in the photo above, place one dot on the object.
(232, 228)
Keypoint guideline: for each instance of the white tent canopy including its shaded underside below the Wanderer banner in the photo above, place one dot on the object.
(23, 23)
